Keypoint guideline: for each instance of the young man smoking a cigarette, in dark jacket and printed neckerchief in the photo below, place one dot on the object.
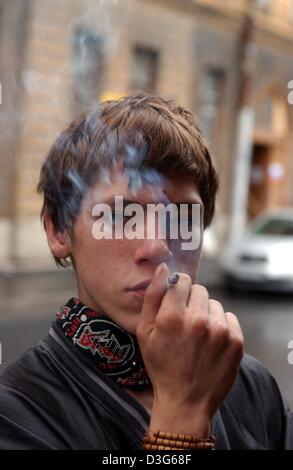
(131, 358)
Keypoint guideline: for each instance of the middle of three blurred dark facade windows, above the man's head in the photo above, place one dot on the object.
(144, 69)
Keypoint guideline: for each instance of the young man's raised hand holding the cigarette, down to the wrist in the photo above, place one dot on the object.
(192, 350)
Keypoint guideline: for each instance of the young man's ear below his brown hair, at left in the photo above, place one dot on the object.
(59, 242)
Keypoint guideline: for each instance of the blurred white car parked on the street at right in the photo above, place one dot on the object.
(263, 258)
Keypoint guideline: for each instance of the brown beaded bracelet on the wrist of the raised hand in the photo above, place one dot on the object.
(159, 440)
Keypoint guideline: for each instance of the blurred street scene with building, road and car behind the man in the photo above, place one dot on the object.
(230, 62)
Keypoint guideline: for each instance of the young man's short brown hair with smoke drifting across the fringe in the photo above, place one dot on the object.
(146, 132)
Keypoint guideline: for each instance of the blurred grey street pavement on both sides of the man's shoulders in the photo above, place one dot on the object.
(30, 302)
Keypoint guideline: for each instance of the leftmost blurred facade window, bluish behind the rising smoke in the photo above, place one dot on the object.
(87, 69)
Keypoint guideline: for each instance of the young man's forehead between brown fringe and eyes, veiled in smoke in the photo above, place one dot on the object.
(145, 188)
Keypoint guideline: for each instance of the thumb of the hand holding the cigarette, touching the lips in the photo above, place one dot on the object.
(154, 295)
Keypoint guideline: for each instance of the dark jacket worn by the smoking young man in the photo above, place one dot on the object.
(52, 397)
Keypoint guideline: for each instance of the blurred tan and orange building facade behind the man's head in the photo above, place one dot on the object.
(217, 58)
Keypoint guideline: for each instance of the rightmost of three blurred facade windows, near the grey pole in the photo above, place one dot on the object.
(211, 93)
